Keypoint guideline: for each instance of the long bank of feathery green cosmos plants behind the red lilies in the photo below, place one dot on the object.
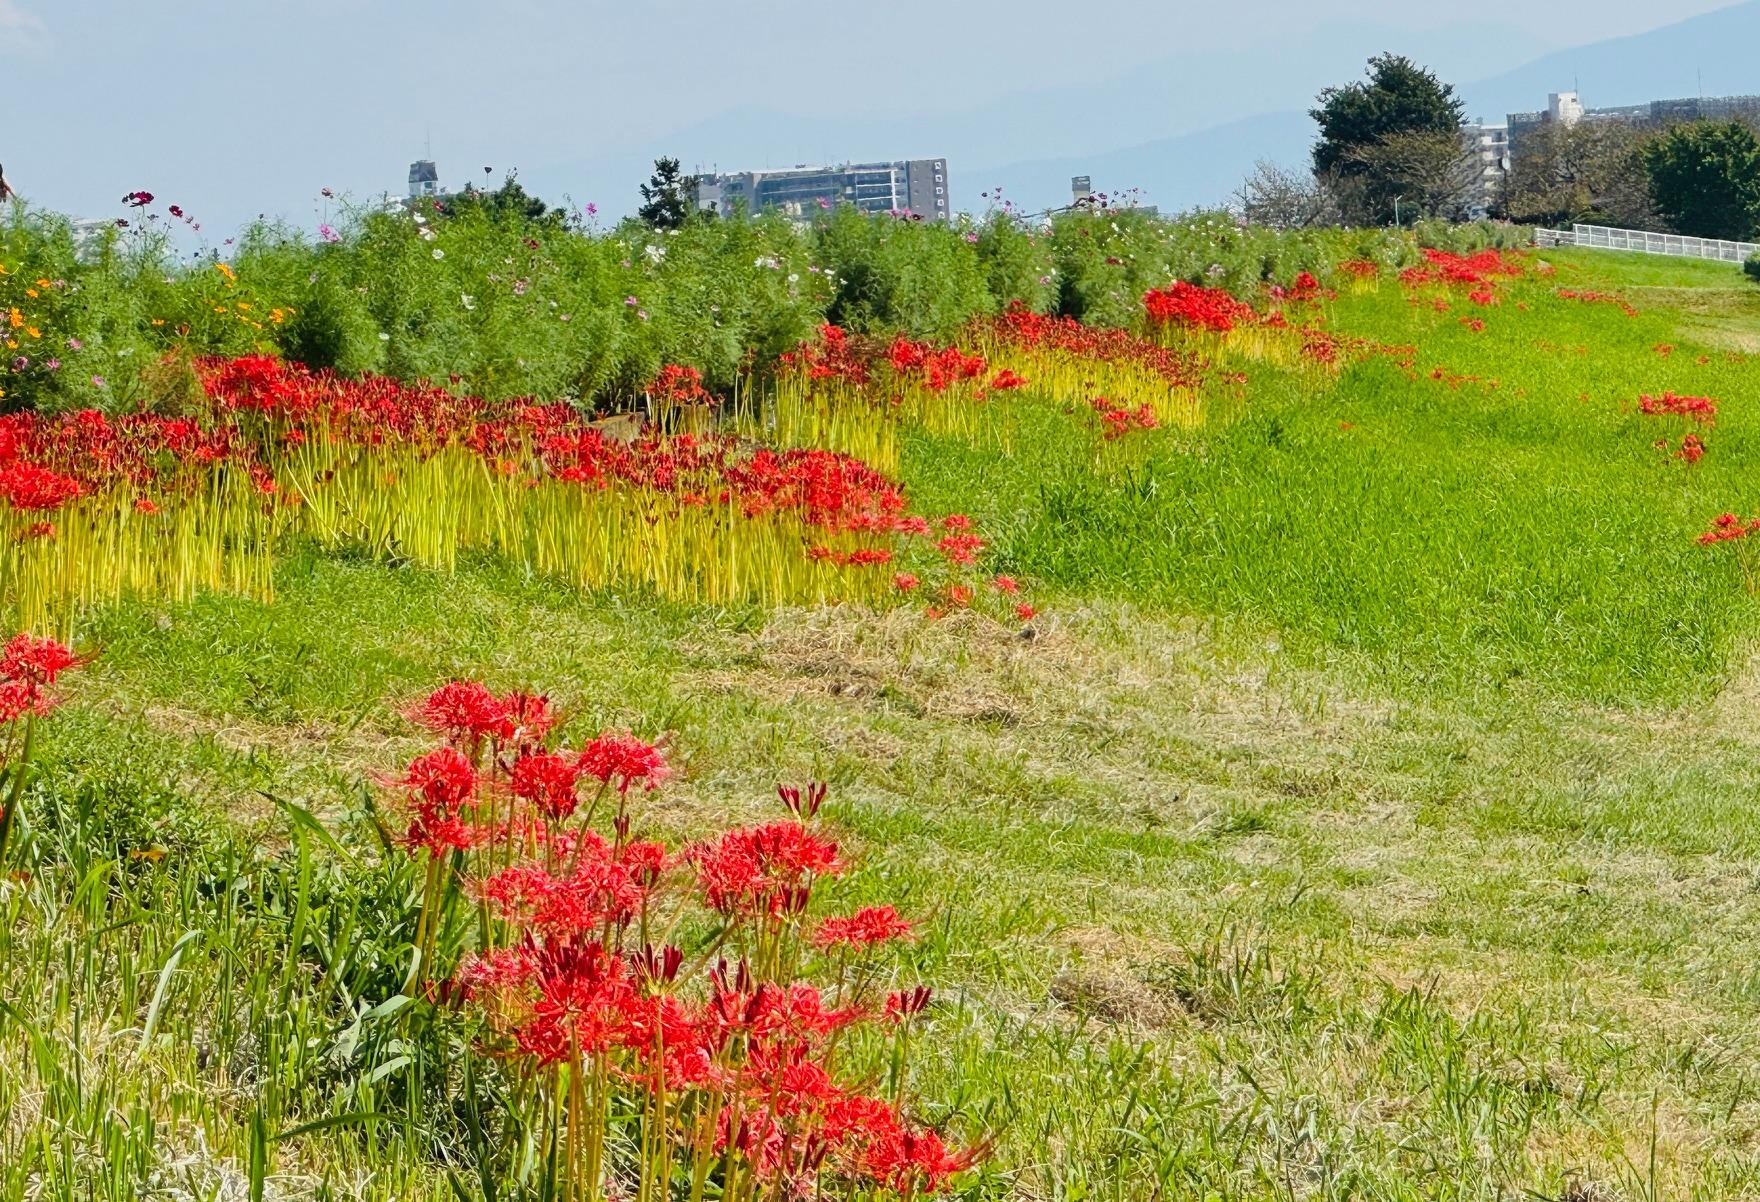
(515, 298)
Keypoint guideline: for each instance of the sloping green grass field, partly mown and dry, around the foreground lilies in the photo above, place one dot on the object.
(1367, 816)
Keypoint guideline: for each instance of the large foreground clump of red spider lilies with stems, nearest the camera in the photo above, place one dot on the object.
(684, 1020)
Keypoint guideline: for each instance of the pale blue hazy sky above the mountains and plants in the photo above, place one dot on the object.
(251, 98)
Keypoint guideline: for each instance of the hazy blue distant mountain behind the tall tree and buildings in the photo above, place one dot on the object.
(1205, 168)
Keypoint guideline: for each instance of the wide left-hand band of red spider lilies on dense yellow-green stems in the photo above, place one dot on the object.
(173, 504)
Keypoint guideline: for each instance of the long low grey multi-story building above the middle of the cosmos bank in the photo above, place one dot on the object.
(914, 186)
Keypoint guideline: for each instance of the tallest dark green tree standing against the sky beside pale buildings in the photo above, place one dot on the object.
(1370, 131)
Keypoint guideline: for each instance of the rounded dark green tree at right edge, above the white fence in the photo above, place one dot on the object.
(1706, 179)
